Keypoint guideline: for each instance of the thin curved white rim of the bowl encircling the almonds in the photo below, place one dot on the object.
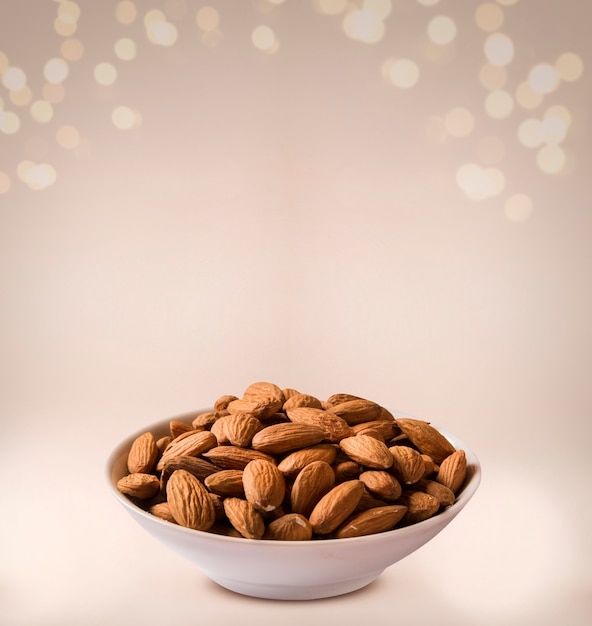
(443, 517)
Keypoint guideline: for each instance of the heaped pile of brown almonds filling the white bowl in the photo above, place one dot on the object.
(280, 464)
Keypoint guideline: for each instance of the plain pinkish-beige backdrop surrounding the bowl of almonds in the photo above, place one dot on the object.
(293, 215)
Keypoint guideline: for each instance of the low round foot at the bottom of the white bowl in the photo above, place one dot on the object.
(295, 592)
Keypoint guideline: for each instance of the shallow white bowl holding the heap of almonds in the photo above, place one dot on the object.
(290, 570)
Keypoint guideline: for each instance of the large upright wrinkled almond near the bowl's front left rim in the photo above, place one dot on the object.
(189, 501)
